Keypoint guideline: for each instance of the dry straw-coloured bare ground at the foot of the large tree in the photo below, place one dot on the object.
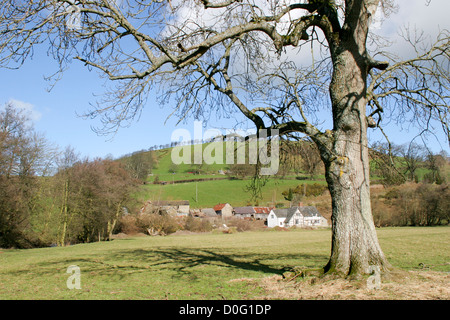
(405, 285)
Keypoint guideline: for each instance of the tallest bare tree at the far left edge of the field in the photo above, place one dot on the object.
(23, 154)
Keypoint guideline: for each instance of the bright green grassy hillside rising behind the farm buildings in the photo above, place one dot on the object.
(204, 186)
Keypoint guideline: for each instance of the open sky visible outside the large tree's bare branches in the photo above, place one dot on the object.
(55, 112)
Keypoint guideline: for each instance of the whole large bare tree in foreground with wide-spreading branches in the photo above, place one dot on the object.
(218, 57)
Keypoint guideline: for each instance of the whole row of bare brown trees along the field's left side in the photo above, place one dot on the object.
(48, 196)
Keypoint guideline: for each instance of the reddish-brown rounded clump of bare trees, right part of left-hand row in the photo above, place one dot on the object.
(91, 199)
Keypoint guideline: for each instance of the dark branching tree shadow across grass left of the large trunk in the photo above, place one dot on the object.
(178, 262)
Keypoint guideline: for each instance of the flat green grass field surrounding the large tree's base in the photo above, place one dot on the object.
(200, 266)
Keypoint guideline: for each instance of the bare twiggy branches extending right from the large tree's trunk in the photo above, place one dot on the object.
(416, 89)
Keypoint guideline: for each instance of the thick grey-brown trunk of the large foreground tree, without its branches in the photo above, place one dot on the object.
(355, 245)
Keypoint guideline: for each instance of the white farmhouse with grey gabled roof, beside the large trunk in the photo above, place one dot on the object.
(296, 216)
